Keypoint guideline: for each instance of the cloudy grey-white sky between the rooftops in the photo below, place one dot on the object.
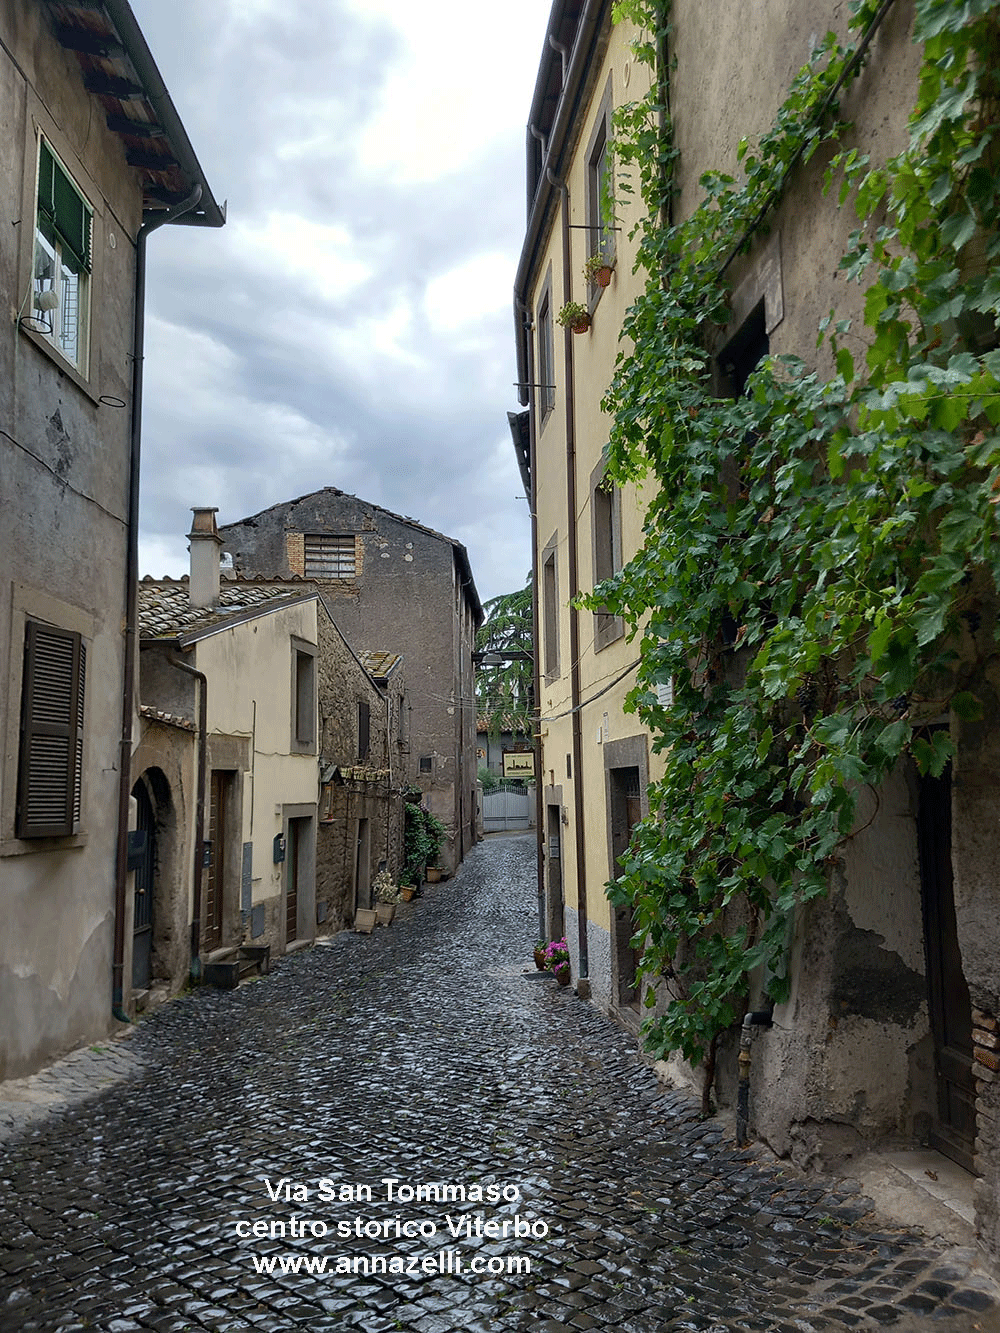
(351, 325)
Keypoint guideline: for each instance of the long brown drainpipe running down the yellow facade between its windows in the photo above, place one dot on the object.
(574, 583)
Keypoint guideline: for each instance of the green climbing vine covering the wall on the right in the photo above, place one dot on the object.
(822, 557)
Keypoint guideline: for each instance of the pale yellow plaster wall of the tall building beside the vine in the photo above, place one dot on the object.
(575, 434)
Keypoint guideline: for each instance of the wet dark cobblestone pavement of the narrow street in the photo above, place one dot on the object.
(426, 1056)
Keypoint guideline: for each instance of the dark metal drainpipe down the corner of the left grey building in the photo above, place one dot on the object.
(118, 967)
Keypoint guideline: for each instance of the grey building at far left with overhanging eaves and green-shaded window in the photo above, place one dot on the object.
(93, 158)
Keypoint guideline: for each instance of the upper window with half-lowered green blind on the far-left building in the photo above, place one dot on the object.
(62, 266)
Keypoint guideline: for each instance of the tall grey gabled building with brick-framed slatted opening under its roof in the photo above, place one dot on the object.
(391, 586)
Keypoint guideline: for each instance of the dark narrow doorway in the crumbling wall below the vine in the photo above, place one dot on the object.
(954, 1124)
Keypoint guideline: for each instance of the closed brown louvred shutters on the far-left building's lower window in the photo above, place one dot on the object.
(50, 771)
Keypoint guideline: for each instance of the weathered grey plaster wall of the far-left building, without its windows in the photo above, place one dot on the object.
(63, 477)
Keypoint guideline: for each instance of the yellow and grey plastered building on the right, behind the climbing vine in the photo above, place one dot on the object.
(877, 1043)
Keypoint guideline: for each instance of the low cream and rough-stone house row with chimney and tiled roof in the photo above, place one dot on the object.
(267, 774)
